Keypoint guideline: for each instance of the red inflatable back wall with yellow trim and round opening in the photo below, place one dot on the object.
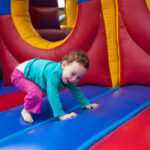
(114, 34)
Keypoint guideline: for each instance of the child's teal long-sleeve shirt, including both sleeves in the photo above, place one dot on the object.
(47, 74)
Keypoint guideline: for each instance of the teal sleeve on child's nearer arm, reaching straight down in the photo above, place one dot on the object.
(53, 98)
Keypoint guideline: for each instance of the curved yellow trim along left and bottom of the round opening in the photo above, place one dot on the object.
(21, 18)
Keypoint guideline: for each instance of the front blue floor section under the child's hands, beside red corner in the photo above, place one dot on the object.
(71, 134)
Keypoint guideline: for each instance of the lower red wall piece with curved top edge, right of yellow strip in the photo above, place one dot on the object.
(134, 61)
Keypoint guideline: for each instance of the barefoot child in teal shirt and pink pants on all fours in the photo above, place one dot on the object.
(38, 76)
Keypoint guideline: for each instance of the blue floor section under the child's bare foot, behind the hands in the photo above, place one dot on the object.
(13, 122)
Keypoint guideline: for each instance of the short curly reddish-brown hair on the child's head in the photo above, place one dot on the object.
(79, 56)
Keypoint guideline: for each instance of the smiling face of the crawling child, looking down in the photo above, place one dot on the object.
(73, 72)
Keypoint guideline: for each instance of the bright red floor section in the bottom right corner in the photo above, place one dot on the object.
(133, 135)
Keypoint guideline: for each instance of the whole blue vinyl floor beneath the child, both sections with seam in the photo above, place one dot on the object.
(48, 133)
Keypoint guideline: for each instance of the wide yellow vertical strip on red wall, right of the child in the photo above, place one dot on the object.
(109, 14)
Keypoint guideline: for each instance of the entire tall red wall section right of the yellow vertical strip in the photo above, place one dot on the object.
(134, 39)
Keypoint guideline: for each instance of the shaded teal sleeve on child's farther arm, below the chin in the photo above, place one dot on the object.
(78, 95)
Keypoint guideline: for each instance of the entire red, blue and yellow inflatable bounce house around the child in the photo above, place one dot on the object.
(115, 34)
